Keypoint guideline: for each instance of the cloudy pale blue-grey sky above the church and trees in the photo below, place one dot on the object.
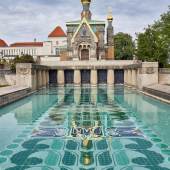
(24, 20)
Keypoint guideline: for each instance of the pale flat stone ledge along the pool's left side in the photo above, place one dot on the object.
(11, 89)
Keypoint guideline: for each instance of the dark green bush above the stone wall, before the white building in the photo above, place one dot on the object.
(21, 59)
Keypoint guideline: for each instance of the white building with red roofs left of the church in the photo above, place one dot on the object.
(56, 43)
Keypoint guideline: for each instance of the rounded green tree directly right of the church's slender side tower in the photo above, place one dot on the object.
(124, 46)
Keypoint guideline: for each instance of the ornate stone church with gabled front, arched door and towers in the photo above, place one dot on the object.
(86, 37)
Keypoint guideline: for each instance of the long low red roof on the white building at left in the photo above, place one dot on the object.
(27, 44)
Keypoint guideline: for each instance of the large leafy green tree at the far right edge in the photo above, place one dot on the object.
(154, 43)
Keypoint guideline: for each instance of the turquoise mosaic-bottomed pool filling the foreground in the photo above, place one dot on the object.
(85, 128)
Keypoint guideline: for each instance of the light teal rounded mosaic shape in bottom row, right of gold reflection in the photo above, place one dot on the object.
(122, 158)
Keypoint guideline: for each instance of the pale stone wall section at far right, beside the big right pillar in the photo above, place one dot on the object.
(164, 76)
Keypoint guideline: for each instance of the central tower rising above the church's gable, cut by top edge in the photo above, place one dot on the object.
(86, 9)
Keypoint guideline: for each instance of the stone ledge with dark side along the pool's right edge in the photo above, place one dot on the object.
(162, 91)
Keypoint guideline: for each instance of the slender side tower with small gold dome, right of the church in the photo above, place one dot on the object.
(110, 33)
